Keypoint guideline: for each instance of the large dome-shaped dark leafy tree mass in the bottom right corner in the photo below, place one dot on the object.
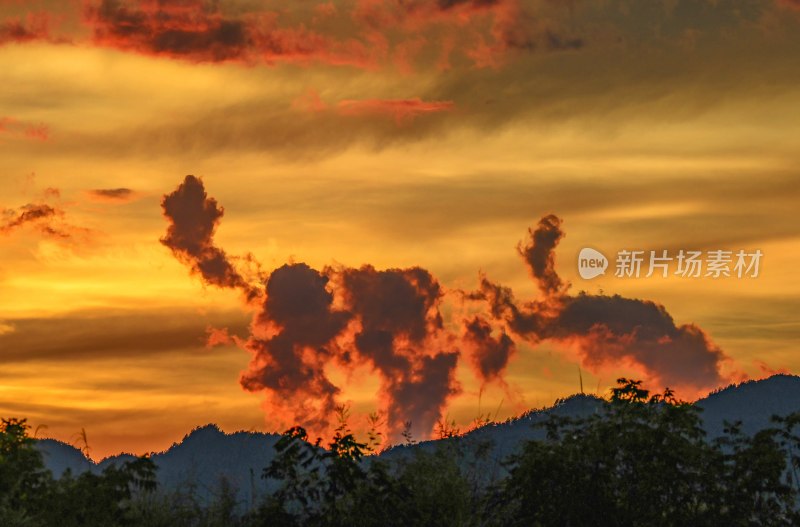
(645, 461)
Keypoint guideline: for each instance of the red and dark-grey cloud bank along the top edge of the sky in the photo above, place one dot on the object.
(371, 34)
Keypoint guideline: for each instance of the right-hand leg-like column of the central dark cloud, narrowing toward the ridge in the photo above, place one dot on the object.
(399, 314)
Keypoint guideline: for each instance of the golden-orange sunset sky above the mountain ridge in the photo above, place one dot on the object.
(401, 134)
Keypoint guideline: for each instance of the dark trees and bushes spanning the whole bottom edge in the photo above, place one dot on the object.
(641, 461)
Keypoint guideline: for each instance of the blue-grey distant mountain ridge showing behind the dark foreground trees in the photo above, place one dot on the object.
(207, 455)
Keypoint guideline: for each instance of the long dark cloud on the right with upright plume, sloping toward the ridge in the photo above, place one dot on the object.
(607, 330)
